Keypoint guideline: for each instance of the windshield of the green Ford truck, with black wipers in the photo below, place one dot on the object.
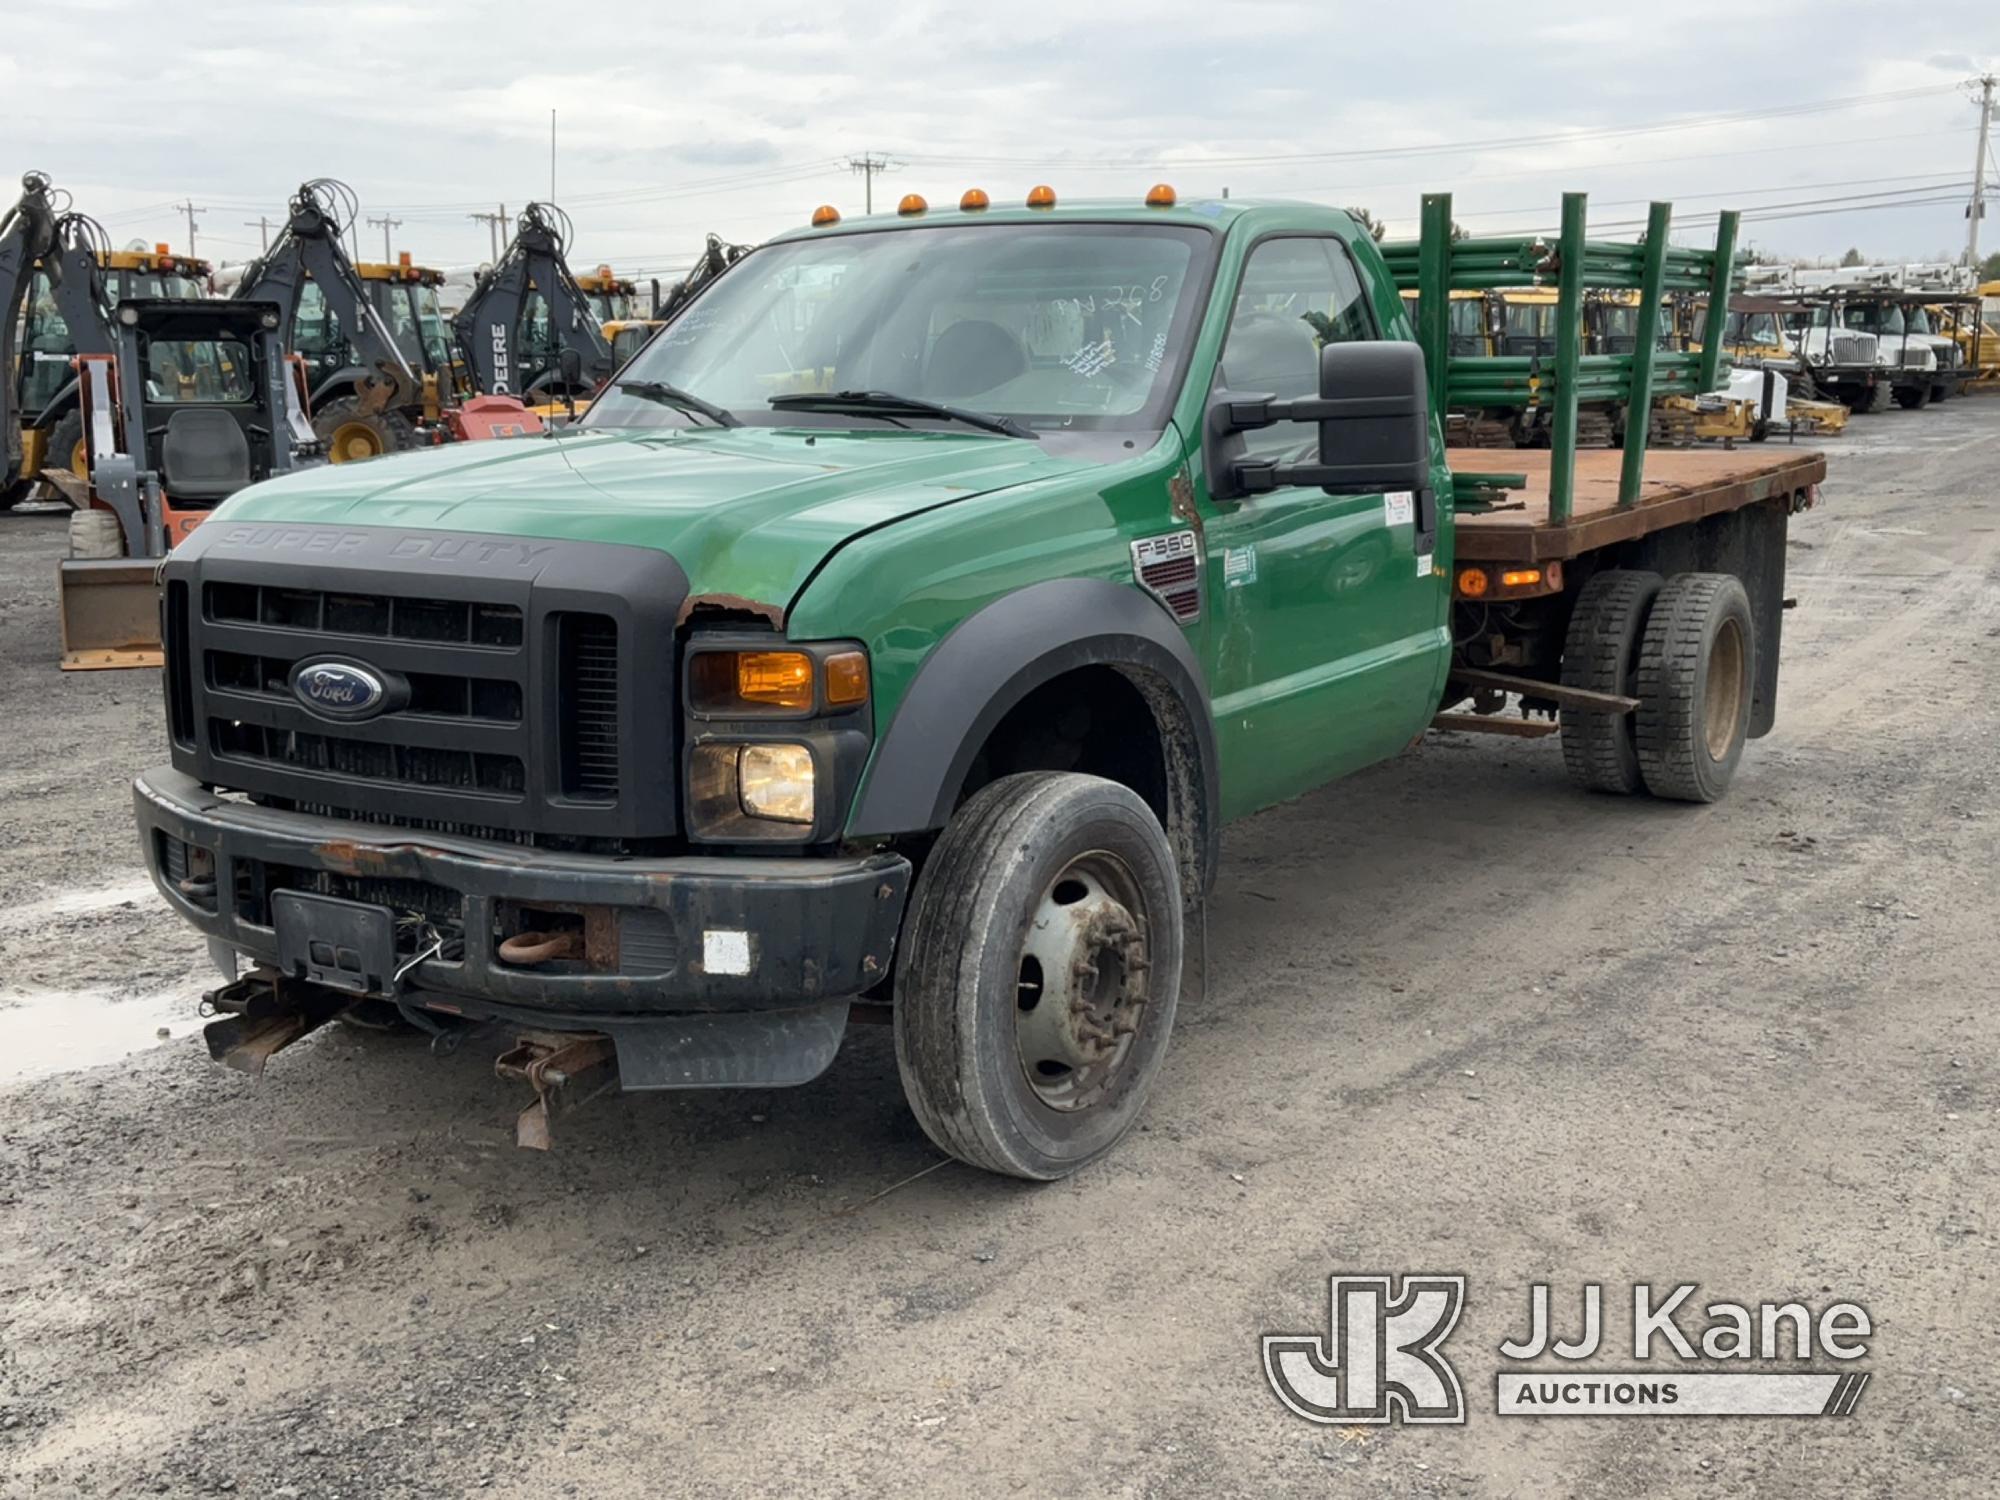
(1053, 325)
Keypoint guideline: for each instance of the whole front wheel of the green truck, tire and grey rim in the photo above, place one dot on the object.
(1035, 997)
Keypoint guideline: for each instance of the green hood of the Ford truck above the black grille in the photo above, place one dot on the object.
(745, 511)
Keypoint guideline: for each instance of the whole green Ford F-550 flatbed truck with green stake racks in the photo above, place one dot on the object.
(901, 629)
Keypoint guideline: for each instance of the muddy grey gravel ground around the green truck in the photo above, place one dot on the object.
(1461, 1019)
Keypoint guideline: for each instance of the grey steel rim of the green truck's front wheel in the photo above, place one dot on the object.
(1083, 983)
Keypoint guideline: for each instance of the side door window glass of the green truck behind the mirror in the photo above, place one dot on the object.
(1295, 297)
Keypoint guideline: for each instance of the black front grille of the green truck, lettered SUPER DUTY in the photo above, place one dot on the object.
(527, 683)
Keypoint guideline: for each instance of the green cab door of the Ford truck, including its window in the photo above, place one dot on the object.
(1327, 635)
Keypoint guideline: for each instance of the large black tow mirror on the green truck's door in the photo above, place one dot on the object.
(1373, 417)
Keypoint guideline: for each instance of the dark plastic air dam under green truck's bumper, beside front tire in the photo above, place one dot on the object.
(745, 1049)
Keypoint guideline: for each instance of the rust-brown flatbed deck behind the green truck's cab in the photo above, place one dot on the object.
(1681, 485)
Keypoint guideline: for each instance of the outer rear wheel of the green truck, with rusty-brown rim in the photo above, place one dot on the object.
(1697, 669)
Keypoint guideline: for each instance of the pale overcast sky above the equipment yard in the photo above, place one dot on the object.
(1837, 125)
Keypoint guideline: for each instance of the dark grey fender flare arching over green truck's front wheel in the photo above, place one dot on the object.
(999, 657)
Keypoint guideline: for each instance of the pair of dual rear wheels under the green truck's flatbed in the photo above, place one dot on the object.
(1687, 649)
